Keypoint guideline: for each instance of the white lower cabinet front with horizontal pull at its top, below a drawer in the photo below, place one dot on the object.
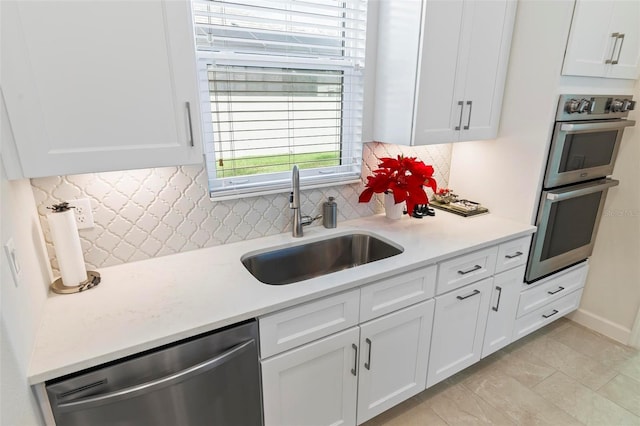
(458, 330)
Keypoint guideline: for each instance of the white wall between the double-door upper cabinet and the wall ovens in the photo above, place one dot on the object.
(504, 174)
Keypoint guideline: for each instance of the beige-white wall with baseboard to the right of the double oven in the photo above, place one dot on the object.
(611, 298)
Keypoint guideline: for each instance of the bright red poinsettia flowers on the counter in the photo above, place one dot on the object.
(405, 177)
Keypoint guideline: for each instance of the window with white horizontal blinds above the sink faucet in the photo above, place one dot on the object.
(281, 84)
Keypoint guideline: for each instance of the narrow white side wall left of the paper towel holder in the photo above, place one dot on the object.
(21, 302)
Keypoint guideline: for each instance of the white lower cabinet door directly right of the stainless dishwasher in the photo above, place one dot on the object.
(315, 384)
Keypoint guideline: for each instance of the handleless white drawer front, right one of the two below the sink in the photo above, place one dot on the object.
(397, 292)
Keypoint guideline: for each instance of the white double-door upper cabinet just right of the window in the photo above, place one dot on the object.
(441, 70)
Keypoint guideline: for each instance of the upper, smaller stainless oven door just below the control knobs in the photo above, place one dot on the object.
(583, 150)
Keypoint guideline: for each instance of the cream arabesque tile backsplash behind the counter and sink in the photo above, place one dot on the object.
(147, 213)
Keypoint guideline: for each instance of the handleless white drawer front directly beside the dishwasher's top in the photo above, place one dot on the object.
(303, 323)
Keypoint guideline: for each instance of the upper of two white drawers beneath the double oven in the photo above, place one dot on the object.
(552, 289)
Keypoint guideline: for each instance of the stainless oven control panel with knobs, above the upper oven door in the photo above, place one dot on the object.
(594, 107)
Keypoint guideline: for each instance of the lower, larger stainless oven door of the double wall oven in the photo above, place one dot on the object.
(567, 222)
